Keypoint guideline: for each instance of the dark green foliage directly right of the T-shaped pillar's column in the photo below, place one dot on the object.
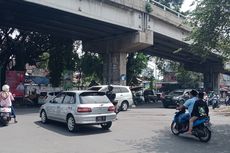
(136, 63)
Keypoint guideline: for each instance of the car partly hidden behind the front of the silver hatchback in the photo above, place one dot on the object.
(45, 97)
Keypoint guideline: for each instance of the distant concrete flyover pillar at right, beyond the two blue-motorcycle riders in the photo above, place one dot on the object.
(212, 81)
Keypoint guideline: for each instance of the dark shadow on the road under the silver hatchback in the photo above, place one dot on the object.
(61, 128)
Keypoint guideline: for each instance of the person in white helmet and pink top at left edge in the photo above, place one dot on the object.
(6, 99)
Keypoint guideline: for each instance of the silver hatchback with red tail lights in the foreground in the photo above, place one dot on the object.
(77, 108)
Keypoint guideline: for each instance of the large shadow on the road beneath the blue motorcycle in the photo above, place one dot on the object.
(166, 142)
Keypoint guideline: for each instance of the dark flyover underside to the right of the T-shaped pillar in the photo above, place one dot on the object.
(174, 50)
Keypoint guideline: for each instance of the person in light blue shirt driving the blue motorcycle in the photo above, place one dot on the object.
(188, 105)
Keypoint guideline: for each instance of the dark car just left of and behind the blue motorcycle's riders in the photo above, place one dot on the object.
(176, 96)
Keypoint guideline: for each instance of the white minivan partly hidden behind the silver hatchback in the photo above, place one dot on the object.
(123, 95)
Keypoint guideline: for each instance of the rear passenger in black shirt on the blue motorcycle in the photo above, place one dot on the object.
(200, 109)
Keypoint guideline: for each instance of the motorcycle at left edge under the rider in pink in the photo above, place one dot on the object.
(5, 115)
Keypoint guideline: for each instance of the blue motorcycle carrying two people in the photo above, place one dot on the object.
(201, 127)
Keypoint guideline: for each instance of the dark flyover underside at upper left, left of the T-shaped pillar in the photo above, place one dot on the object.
(31, 17)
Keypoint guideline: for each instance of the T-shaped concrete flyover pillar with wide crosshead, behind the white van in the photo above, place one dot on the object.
(115, 50)
